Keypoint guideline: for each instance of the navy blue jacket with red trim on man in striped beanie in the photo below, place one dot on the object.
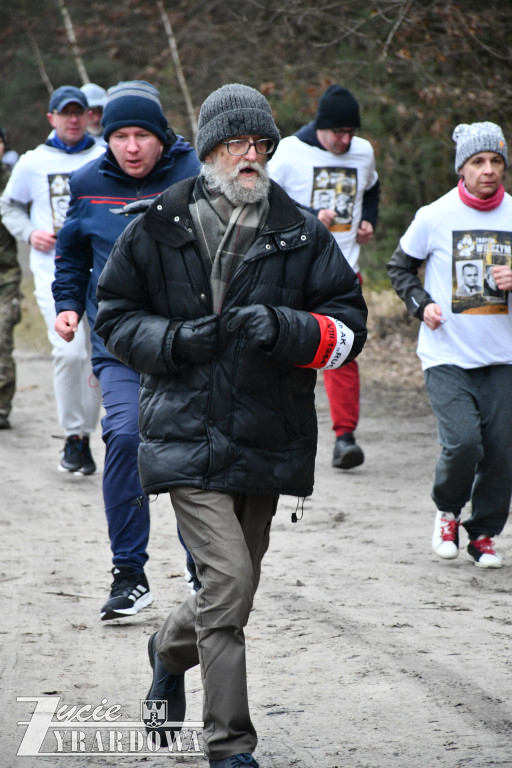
(92, 226)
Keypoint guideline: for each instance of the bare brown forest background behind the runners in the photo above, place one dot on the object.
(417, 67)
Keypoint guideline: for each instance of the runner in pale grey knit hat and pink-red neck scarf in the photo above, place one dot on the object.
(465, 339)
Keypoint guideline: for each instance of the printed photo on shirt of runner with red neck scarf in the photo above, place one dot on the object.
(475, 254)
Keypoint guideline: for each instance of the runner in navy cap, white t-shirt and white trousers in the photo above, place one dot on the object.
(33, 207)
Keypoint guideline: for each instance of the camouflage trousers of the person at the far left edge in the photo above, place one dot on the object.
(10, 314)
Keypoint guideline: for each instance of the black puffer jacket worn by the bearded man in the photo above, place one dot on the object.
(246, 420)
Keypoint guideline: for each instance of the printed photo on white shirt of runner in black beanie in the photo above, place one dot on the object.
(335, 188)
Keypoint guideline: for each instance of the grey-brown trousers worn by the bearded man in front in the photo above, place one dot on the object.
(227, 536)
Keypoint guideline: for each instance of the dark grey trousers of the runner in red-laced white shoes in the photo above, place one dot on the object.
(473, 408)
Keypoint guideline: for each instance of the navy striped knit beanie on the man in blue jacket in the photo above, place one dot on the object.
(134, 103)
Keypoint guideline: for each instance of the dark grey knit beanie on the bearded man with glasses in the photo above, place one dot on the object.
(231, 111)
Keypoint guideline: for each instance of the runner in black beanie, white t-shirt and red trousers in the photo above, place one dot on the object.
(329, 169)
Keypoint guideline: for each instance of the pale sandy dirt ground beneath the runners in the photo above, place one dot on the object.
(364, 649)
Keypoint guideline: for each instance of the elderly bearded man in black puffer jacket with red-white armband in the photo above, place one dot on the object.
(227, 297)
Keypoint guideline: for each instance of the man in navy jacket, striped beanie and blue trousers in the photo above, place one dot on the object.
(143, 158)
